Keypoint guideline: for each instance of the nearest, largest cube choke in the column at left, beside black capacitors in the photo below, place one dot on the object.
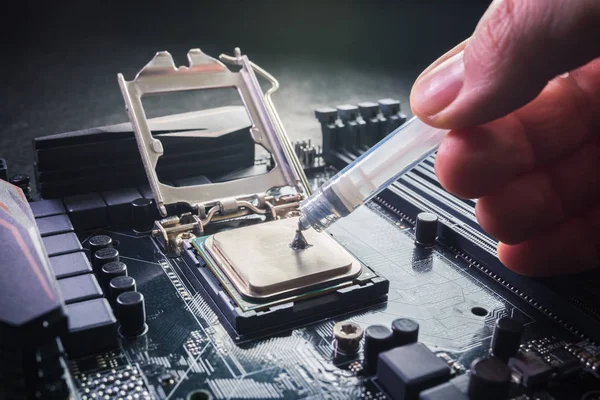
(92, 328)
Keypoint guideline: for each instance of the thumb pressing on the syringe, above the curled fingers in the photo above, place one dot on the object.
(517, 47)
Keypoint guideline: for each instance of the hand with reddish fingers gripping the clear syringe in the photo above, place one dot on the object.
(522, 97)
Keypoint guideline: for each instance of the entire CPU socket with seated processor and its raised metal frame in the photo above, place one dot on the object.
(245, 269)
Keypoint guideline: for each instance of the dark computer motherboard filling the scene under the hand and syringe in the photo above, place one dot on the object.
(111, 291)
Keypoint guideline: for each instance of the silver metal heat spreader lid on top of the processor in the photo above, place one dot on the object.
(266, 267)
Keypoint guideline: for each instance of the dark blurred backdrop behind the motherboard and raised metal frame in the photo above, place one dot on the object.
(60, 59)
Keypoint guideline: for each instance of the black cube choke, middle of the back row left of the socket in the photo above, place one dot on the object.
(87, 211)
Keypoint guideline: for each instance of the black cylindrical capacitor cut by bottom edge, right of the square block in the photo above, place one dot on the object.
(489, 380)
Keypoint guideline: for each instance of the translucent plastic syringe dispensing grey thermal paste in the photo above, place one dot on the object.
(368, 175)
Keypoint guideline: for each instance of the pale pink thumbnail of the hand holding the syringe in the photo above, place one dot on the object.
(436, 89)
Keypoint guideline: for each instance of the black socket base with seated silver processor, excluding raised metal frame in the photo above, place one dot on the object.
(259, 285)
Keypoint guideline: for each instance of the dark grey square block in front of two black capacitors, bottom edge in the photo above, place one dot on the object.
(407, 370)
